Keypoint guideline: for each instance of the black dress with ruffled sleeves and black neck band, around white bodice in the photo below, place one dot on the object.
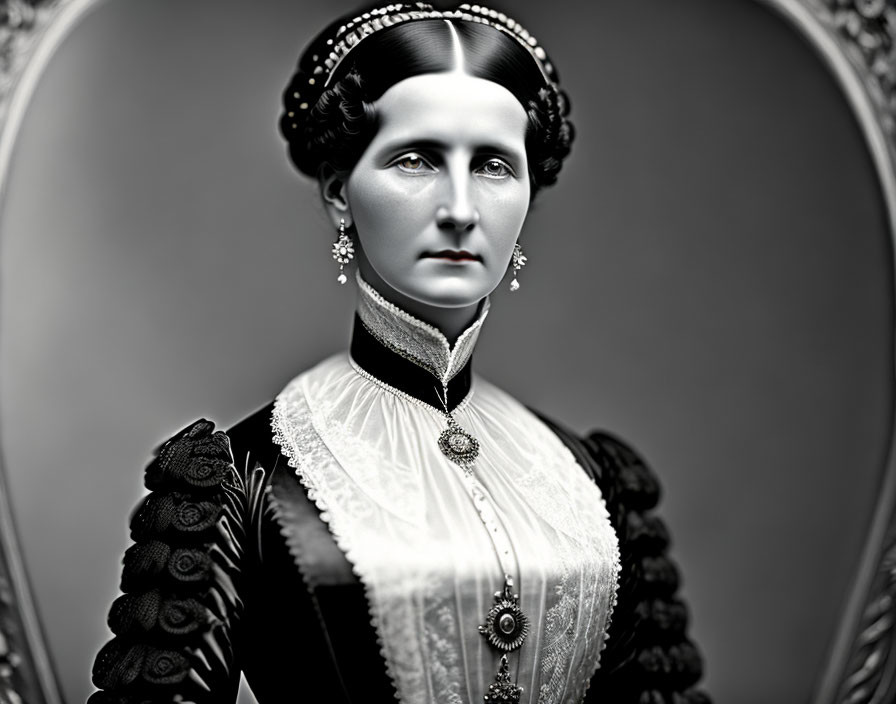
(211, 586)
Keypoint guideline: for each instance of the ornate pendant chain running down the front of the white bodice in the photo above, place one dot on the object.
(506, 626)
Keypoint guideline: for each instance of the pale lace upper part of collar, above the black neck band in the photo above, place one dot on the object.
(414, 340)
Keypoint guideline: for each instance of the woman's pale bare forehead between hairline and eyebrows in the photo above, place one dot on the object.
(449, 107)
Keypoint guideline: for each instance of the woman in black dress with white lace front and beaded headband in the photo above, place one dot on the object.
(392, 526)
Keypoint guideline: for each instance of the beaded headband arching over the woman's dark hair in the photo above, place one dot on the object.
(330, 55)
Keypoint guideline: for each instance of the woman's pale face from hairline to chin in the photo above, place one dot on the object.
(440, 195)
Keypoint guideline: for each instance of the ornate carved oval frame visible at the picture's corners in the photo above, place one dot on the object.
(857, 41)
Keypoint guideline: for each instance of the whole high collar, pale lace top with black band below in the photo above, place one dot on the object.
(409, 354)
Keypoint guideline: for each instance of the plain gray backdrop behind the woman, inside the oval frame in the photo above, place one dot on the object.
(710, 280)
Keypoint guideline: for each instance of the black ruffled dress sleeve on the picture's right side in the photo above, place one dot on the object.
(649, 658)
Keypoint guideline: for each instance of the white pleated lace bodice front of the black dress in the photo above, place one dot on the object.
(417, 530)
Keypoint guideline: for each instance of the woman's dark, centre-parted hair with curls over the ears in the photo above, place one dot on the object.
(342, 121)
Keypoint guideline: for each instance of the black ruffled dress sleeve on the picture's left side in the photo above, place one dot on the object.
(176, 624)
